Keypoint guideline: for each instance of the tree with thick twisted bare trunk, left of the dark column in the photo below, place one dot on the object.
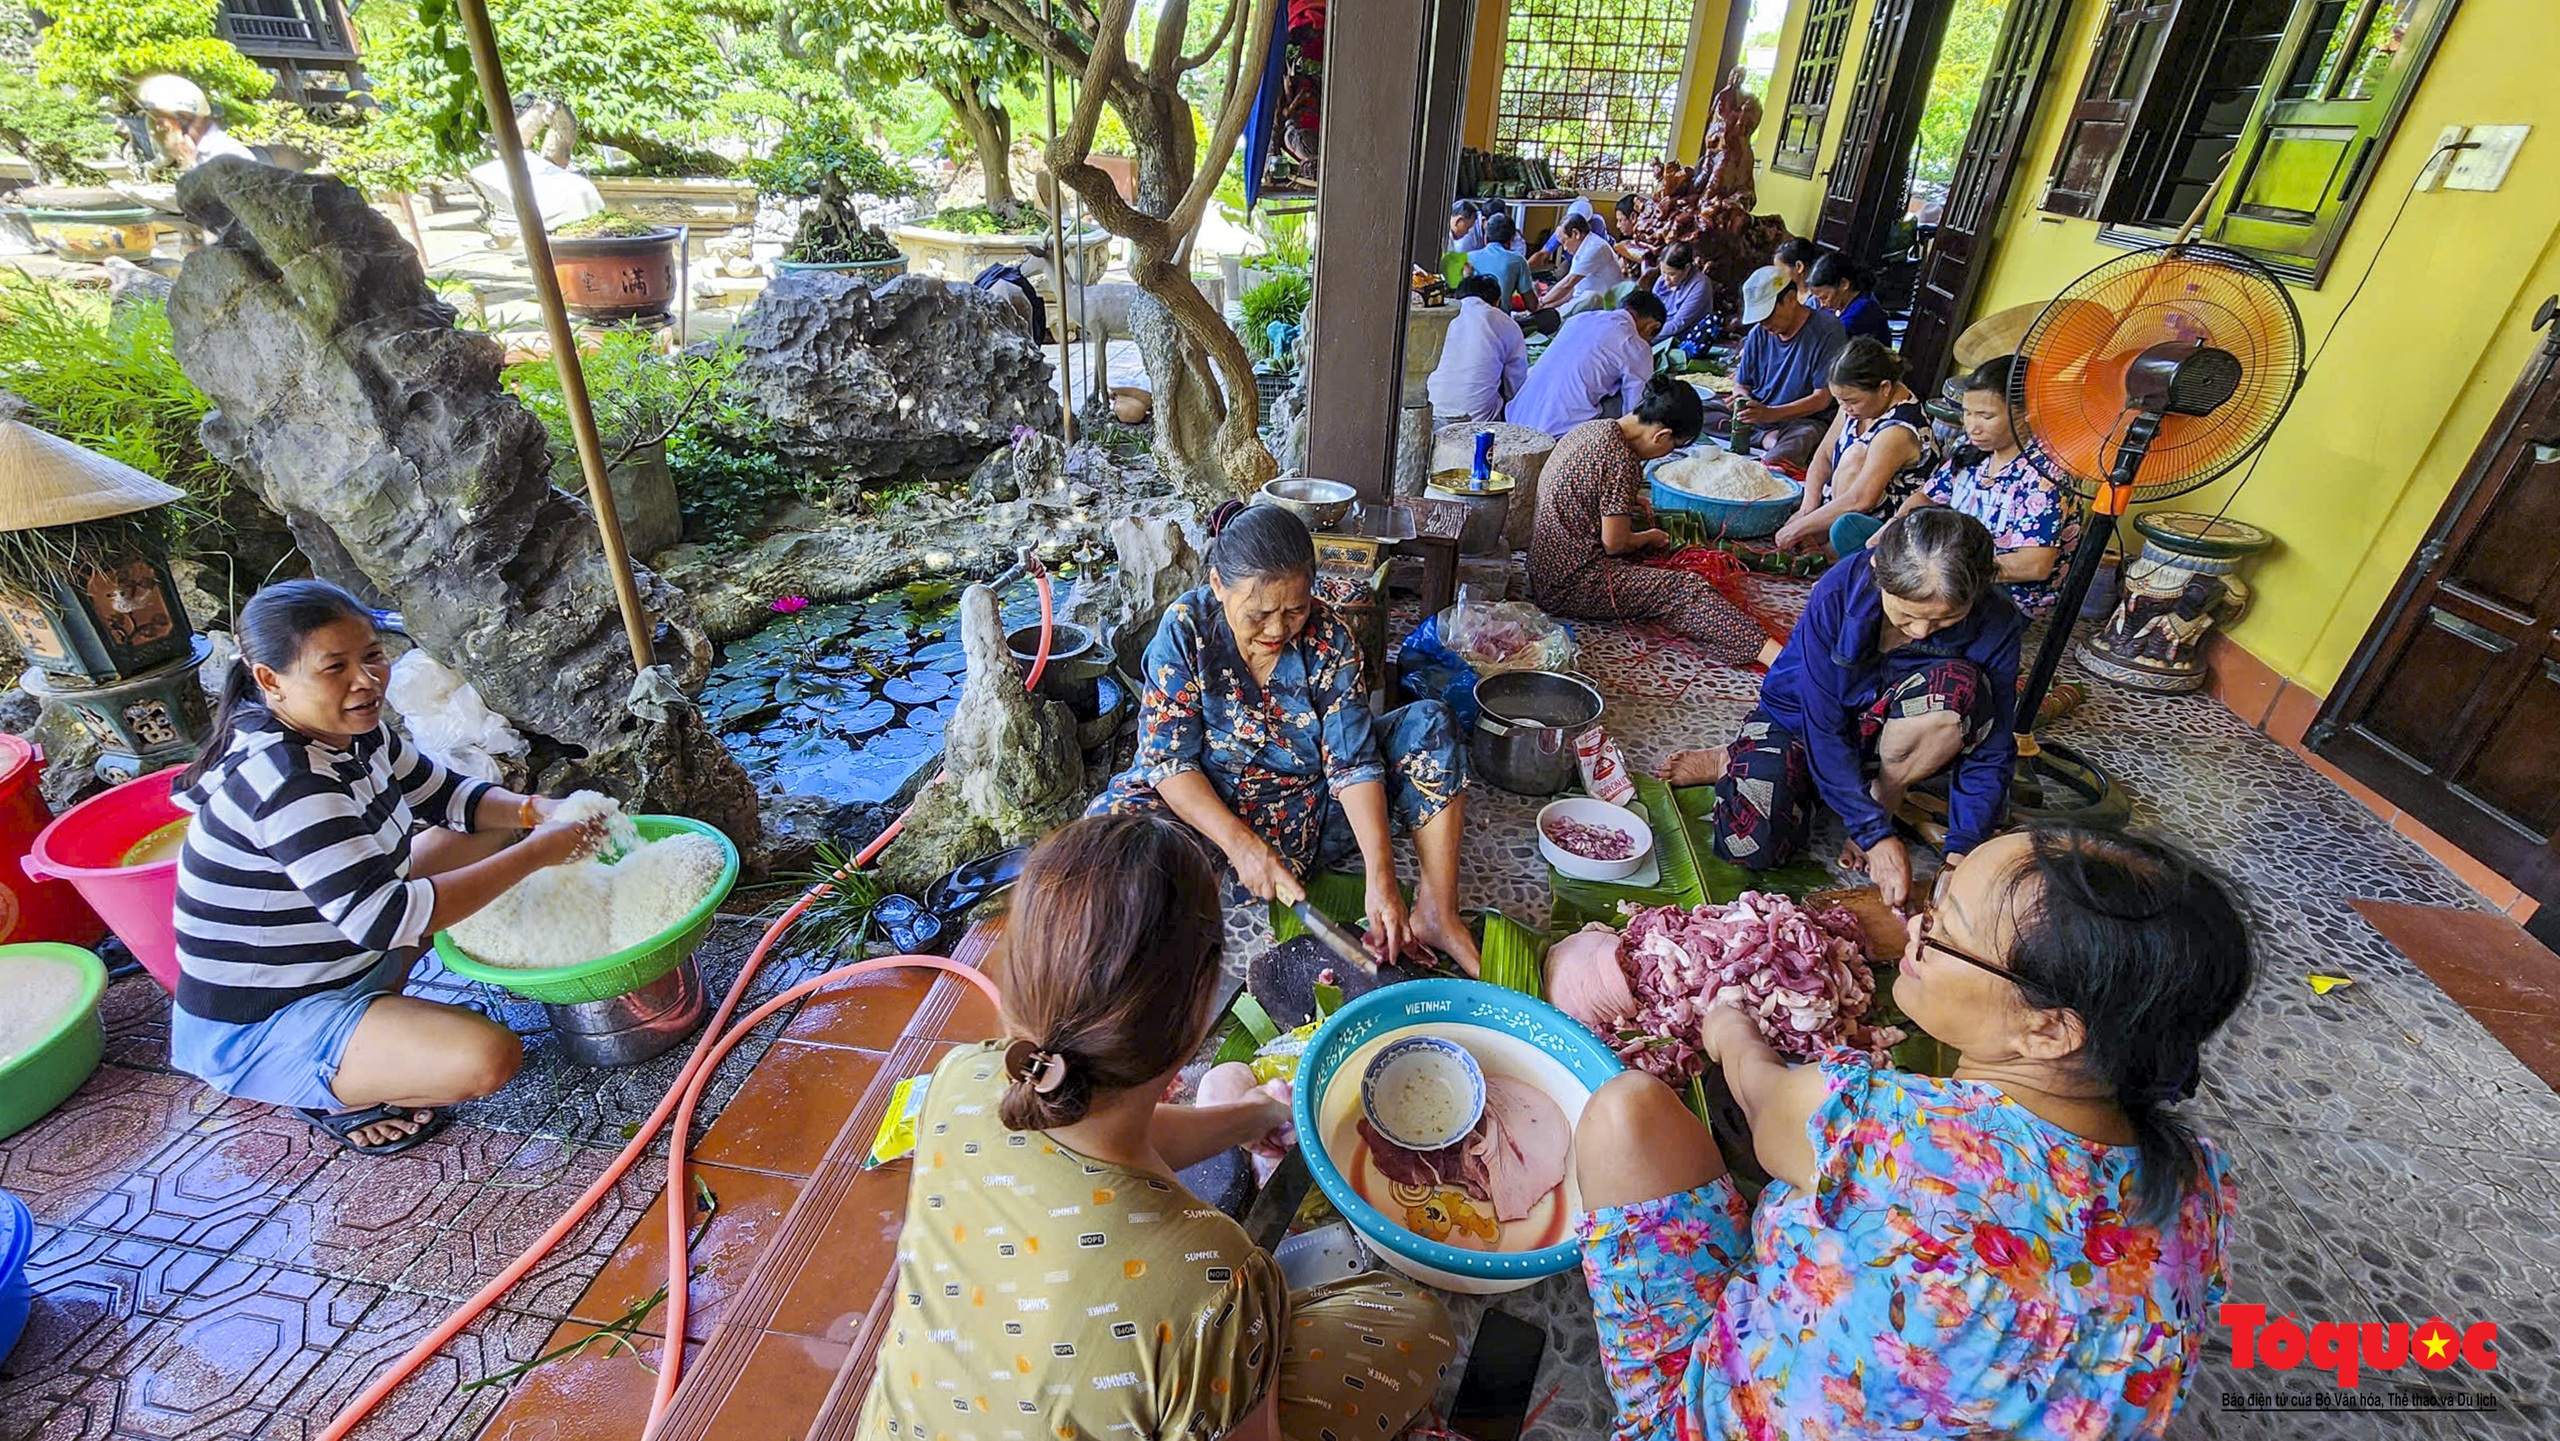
(1207, 442)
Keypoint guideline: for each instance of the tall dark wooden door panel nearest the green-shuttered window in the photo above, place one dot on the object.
(1952, 270)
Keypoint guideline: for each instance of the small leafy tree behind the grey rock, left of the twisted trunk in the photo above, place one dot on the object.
(969, 65)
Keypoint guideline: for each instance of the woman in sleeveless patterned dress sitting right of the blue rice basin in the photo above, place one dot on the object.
(1875, 457)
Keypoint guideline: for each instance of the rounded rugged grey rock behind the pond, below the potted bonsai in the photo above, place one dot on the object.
(902, 380)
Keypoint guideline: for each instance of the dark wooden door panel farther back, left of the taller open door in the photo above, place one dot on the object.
(1870, 173)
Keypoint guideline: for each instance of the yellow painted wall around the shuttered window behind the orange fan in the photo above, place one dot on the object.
(2408, 388)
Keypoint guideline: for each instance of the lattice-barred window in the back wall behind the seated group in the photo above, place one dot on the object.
(1594, 88)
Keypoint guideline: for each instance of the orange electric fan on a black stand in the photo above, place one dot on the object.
(2144, 380)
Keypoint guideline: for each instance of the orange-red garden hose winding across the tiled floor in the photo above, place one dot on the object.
(680, 1102)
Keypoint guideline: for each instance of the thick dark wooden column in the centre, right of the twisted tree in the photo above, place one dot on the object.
(1376, 58)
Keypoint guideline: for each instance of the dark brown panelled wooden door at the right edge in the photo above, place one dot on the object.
(2454, 700)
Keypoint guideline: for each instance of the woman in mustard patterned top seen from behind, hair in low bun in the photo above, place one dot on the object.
(1053, 1276)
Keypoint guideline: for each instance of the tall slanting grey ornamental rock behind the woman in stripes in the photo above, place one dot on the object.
(408, 475)
